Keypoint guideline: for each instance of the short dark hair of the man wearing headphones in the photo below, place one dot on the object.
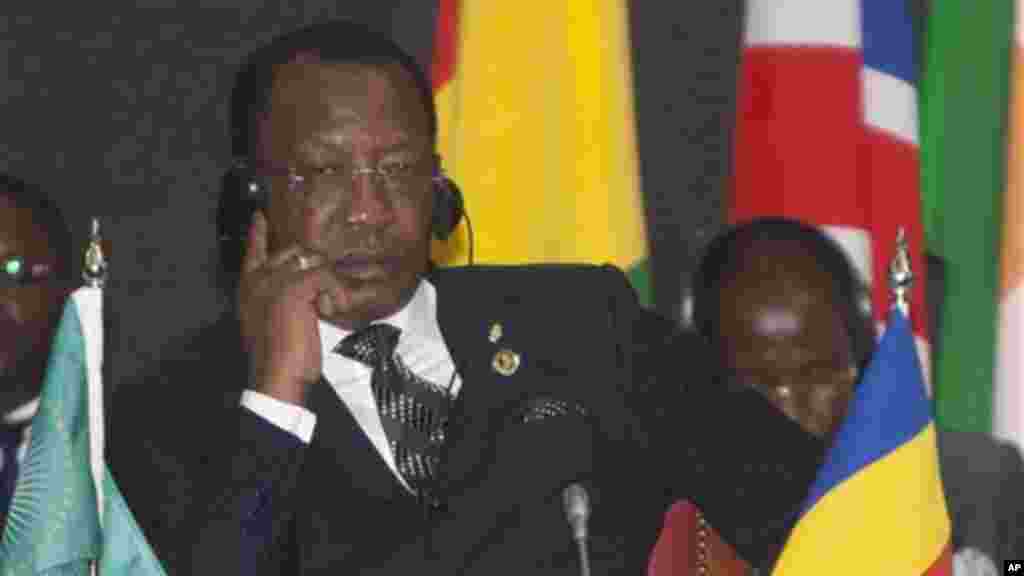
(337, 42)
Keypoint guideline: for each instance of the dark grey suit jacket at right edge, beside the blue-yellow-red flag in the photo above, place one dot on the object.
(985, 486)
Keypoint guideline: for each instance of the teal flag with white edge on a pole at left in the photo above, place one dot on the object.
(67, 517)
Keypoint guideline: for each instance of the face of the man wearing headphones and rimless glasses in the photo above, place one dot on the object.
(332, 126)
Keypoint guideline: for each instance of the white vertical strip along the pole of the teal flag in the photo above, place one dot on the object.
(90, 304)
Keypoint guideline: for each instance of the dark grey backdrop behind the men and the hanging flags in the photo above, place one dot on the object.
(120, 111)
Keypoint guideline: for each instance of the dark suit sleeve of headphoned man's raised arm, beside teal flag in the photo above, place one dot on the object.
(205, 477)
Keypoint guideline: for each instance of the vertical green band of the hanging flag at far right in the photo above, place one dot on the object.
(964, 130)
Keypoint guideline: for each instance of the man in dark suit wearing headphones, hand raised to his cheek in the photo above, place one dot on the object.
(371, 416)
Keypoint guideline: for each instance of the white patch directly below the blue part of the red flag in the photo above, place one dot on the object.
(890, 105)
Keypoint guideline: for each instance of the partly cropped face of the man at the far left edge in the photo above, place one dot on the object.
(28, 311)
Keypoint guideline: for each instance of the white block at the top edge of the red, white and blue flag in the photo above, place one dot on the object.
(803, 23)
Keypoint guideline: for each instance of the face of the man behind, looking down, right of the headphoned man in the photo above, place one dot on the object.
(783, 335)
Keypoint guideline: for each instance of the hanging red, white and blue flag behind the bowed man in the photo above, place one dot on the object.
(827, 131)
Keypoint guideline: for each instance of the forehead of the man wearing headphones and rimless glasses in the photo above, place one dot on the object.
(343, 106)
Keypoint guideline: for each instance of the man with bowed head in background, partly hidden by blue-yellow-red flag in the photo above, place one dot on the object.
(785, 309)
